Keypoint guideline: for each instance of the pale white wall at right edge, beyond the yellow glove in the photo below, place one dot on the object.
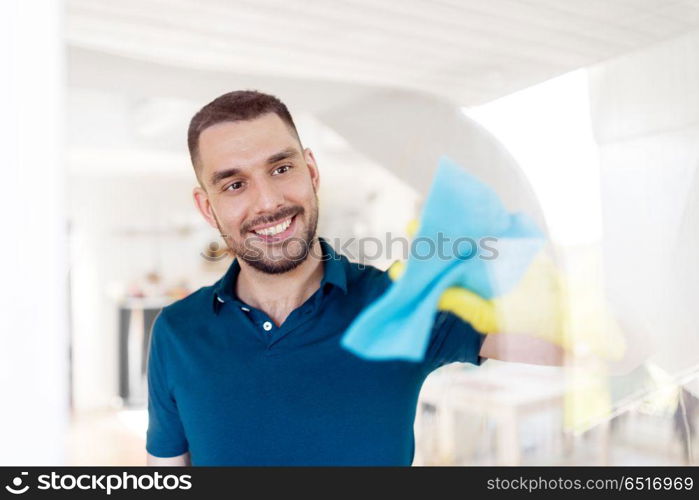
(645, 114)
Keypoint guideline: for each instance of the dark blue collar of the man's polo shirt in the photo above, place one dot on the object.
(334, 273)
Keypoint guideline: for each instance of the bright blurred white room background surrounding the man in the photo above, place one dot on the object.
(590, 106)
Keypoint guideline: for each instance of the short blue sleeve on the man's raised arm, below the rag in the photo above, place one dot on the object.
(453, 340)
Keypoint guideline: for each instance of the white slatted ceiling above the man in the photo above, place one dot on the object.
(469, 51)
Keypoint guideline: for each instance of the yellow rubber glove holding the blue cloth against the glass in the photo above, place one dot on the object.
(546, 305)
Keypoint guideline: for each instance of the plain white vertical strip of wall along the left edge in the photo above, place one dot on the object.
(33, 332)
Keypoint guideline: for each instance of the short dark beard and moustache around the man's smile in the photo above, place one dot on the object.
(282, 257)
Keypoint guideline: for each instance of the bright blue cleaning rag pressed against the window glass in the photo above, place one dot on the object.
(460, 211)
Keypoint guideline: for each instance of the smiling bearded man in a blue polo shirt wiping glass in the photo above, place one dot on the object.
(249, 371)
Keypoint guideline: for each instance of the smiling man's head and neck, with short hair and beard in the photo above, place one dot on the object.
(258, 188)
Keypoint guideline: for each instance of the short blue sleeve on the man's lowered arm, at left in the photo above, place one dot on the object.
(165, 436)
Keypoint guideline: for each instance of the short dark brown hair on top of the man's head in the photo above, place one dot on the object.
(240, 105)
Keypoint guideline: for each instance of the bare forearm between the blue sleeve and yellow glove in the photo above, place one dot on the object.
(522, 348)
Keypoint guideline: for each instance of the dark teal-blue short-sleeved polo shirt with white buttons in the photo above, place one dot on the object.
(232, 388)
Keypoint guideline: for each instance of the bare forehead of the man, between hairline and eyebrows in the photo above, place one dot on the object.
(244, 143)
